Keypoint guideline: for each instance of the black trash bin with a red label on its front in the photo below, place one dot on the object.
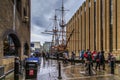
(31, 70)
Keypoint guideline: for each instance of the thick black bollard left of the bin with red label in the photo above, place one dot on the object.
(16, 69)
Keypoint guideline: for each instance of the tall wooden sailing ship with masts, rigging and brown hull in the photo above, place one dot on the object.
(58, 32)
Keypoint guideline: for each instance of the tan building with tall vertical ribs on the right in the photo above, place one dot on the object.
(96, 25)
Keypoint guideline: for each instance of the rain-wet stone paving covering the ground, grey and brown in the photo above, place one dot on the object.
(49, 71)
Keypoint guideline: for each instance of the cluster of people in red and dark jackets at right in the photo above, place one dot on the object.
(97, 57)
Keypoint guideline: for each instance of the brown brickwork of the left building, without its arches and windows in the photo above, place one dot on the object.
(22, 30)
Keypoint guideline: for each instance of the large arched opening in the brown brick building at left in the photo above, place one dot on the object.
(11, 44)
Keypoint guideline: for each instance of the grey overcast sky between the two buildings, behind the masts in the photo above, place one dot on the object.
(41, 13)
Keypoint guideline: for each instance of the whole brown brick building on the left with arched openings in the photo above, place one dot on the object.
(14, 31)
